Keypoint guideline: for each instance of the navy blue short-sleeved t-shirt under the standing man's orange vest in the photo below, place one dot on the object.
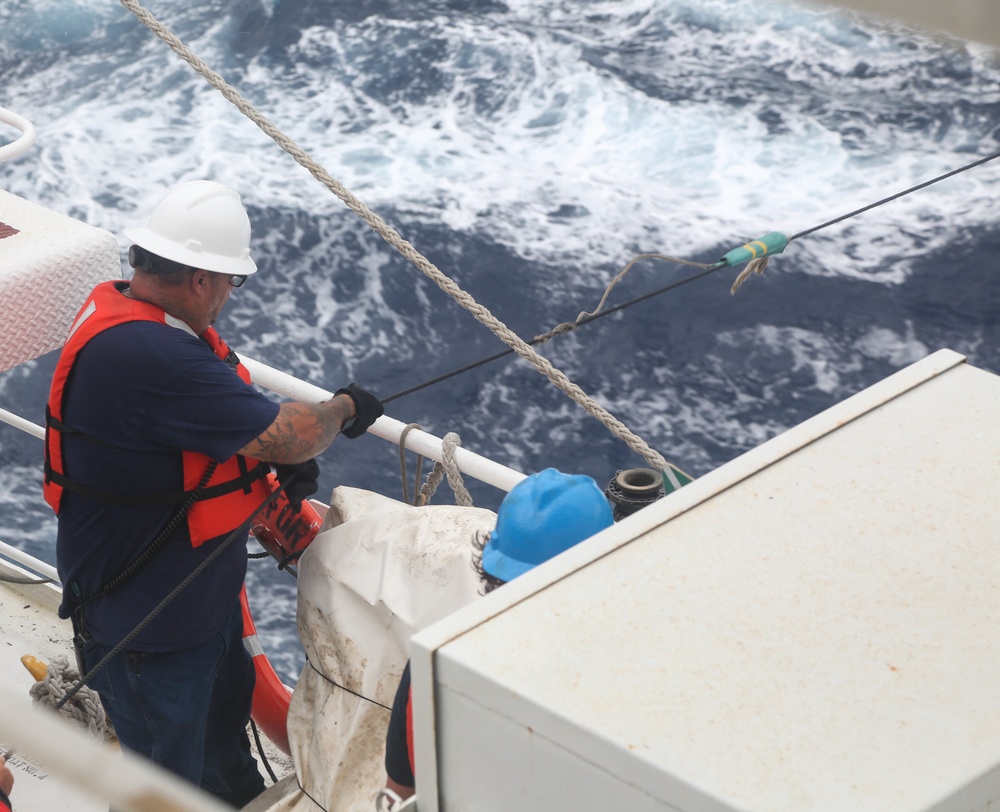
(152, 390)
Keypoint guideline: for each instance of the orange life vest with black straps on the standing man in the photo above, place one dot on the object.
(237, 486)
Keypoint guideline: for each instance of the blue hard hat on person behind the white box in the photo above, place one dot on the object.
(541, 517)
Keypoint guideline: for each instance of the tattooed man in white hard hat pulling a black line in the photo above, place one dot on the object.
(157, 451)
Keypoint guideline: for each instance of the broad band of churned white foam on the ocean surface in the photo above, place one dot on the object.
(520, 134)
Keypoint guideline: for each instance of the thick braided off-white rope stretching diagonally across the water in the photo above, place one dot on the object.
(375, 222)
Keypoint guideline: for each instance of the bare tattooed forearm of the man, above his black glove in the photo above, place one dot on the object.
(301, 431)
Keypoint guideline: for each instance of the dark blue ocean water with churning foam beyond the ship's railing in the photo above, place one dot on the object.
(530, 149)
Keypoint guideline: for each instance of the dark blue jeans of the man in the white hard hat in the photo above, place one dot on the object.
(187, 710)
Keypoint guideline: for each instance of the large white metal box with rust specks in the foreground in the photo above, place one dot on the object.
(816, 630)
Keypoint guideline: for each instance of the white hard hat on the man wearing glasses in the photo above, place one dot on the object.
(202, 224)
